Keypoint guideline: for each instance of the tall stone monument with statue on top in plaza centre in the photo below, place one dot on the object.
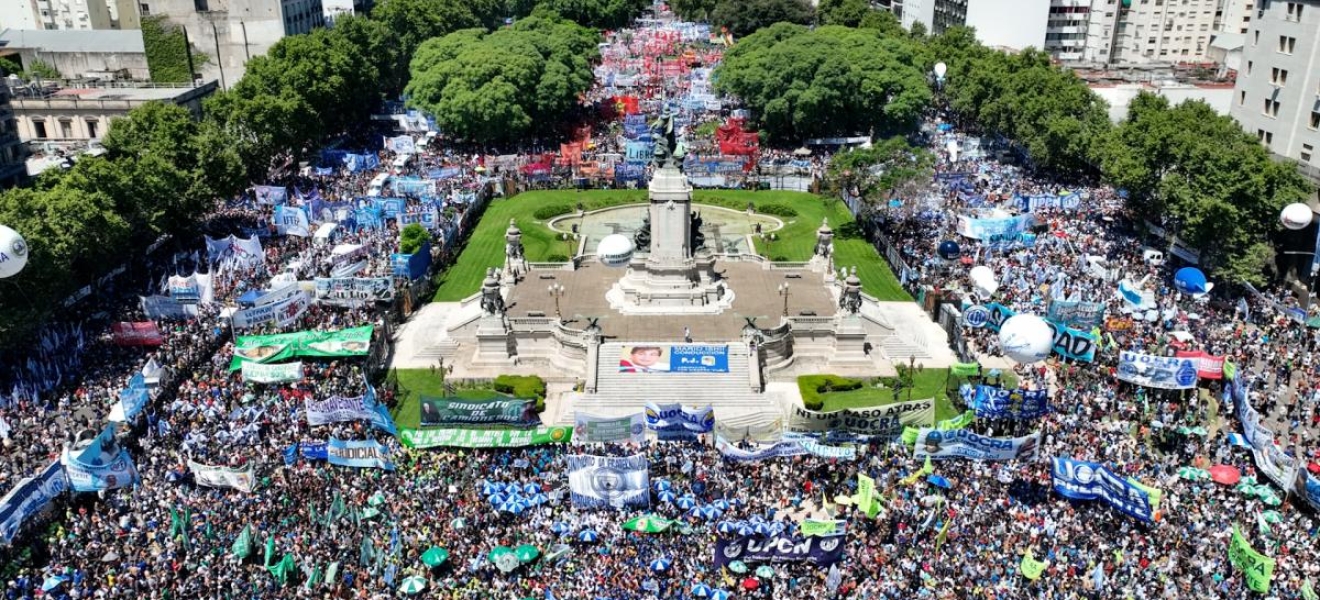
(671, 274)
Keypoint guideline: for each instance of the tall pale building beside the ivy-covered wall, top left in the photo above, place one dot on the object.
(232, 32)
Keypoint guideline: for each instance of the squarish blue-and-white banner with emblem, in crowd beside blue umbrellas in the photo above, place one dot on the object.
(609, 482)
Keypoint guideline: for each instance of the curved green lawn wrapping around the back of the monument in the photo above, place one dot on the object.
(486, 246)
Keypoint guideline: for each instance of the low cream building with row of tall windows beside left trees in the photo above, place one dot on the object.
(82, 113)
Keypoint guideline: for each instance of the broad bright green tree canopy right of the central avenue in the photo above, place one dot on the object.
(831, 81)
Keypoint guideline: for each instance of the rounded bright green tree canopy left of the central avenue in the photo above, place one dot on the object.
(505, 85)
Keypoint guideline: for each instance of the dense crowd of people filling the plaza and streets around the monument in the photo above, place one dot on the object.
(310, 529)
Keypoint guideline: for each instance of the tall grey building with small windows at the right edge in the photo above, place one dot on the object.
(1278, 88)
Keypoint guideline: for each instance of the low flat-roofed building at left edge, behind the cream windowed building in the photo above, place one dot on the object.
(80, 55)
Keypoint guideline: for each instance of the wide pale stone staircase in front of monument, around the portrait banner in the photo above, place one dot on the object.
(625, 394)
